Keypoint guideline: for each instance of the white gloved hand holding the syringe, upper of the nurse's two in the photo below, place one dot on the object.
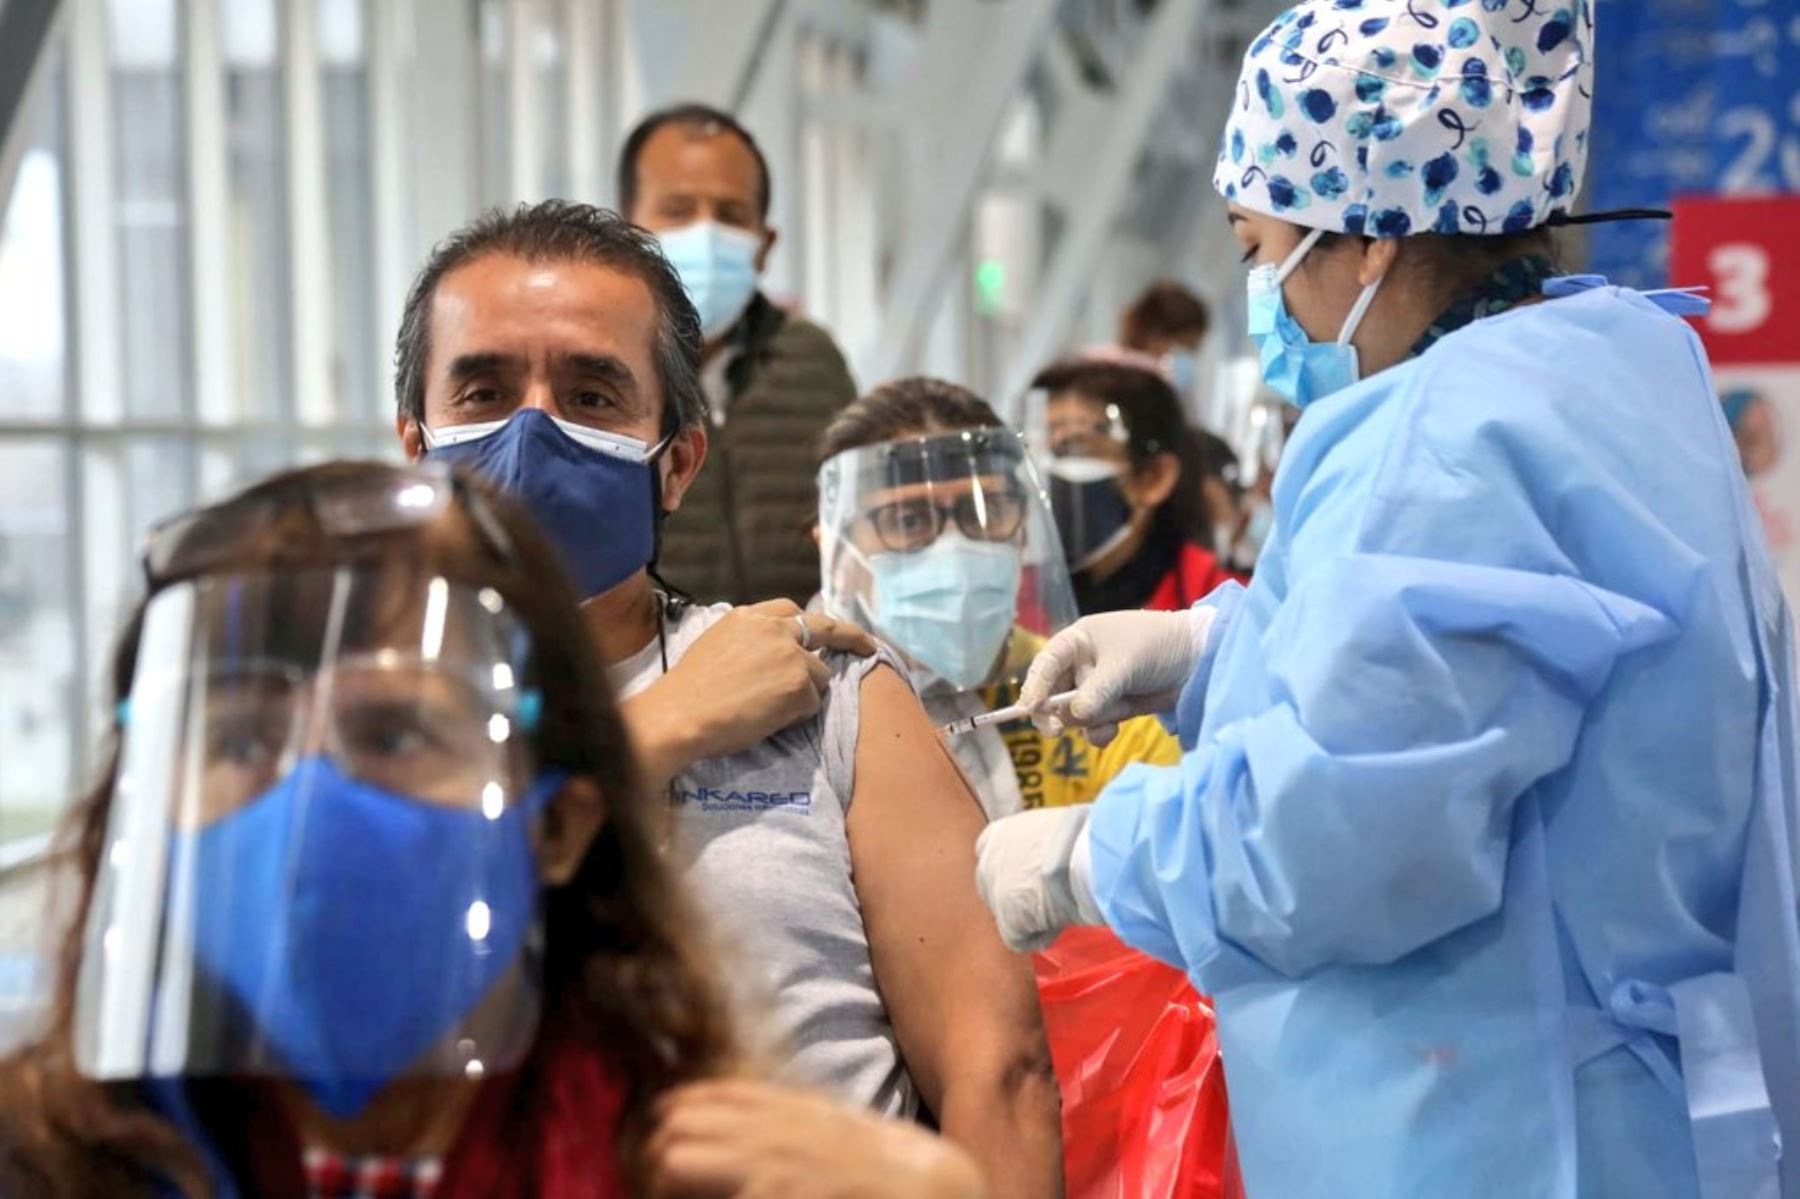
(1120, 665)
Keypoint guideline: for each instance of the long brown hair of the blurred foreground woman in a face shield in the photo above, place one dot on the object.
(620, 950)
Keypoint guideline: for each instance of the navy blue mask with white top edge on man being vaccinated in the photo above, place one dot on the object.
(595, 494)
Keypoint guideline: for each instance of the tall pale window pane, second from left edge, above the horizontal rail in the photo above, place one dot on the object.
(152, 212)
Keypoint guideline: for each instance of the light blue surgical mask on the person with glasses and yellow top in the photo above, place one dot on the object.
(951, 606)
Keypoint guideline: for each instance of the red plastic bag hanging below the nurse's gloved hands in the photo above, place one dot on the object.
(1144, 1094)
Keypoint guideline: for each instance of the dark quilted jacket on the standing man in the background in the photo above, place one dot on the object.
(744, 530)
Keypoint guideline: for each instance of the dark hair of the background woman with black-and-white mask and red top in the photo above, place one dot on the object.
(1151, 413)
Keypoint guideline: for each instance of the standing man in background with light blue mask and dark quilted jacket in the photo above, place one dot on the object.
(696, 177)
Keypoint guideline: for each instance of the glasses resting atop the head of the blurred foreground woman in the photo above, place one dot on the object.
(368, 501)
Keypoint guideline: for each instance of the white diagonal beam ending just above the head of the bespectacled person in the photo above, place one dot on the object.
(994, 64)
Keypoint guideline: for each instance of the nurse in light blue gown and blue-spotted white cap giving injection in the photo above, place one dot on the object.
(1486, 833)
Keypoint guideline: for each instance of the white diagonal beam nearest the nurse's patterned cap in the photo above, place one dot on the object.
(1101, 188)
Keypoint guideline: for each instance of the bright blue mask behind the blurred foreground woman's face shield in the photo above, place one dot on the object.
(350, 939)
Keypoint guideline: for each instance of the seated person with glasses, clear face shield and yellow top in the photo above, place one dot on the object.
(935, 534)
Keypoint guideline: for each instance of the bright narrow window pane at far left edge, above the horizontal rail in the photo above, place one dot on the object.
(33, 311)
